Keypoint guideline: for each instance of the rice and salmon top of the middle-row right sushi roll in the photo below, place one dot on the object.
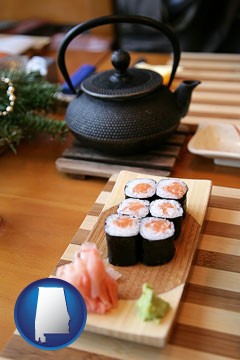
(166, 208)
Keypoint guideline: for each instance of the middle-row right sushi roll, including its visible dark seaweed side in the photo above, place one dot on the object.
(168, 209)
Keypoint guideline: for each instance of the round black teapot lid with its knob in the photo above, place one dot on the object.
(122, 82)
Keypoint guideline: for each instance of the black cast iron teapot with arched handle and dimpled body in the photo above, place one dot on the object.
(125, 110)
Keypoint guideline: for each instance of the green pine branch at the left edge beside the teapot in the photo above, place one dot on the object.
(35, 99)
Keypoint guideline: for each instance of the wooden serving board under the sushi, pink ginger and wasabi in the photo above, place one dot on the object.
(167, 280)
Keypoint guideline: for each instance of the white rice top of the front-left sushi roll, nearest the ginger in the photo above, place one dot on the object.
(113, 228)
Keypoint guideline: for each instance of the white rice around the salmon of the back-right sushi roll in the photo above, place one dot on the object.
(164, 184)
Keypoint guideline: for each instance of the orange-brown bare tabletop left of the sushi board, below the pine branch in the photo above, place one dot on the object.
(39, 209)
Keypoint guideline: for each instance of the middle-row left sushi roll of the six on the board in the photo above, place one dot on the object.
(134, 207)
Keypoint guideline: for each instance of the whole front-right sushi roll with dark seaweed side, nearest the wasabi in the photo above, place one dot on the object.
(157, 241)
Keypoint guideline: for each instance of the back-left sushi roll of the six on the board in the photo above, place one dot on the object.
(143, 189)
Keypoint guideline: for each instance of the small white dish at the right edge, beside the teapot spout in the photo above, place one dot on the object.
(220, 142)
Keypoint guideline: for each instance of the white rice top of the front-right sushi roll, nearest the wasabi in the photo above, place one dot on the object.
(148, 231)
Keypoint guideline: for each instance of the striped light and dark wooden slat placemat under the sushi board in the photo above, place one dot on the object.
(208, 322)
